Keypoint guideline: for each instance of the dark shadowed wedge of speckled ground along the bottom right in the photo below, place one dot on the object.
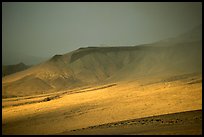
(189, 122)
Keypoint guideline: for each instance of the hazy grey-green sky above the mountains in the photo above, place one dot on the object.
(45, 29)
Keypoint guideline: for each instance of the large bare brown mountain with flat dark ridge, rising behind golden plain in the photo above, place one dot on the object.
(95, 65)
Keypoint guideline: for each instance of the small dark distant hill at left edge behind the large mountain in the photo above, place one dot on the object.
(10, 69)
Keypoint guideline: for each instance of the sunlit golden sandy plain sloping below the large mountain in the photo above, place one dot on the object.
(63, 111)
